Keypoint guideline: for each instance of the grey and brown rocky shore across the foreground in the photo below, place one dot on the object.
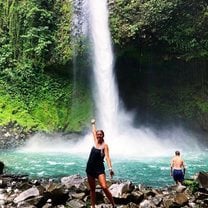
(73, 192)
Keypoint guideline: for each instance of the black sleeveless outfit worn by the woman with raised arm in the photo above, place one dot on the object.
(95, 164)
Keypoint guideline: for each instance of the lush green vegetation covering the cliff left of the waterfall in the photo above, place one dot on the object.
(35, 67)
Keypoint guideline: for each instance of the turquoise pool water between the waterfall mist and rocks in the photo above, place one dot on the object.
(154, 172)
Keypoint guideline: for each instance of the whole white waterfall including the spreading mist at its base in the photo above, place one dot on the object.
(122, 137)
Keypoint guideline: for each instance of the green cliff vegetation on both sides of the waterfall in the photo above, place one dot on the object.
(167, 39)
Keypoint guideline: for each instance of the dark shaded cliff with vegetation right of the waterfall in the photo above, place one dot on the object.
(163, 47)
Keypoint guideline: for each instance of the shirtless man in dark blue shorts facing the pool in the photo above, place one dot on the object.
(177, 168)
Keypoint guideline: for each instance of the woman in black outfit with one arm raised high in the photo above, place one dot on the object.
(95, 165)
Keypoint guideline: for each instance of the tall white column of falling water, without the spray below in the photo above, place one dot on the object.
(104, 87)
